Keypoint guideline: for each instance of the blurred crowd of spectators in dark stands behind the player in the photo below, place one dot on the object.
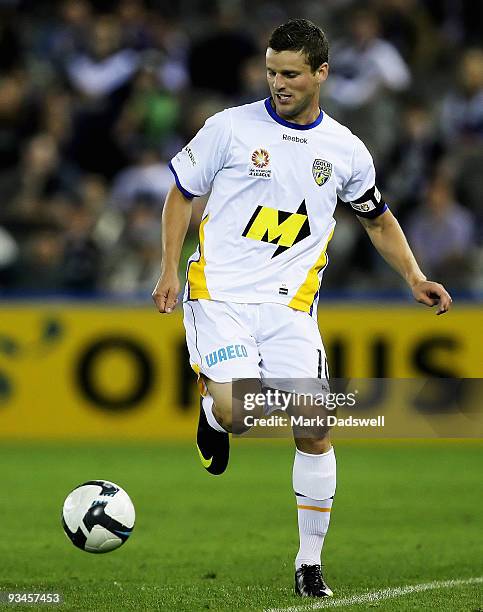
(96, 97)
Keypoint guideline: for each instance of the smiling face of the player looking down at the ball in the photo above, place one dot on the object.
(293, 85)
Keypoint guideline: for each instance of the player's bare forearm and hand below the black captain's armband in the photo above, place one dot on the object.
(389, 239)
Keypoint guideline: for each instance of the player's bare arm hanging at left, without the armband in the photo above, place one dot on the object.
(174, 225)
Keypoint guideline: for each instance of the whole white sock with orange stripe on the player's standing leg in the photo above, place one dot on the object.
(314, 483)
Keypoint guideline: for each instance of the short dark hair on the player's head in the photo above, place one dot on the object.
(301, 35)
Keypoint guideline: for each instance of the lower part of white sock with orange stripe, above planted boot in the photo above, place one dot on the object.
(313, 517)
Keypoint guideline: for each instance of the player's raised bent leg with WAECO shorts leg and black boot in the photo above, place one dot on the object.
(221, 349)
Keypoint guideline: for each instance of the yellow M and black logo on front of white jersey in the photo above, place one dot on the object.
(278, 227)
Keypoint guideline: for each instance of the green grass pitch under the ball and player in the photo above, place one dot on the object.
(404, 514)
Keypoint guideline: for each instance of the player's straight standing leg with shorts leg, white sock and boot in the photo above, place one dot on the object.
(287, 333)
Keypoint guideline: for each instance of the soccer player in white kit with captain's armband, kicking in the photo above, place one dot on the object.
(275, 169)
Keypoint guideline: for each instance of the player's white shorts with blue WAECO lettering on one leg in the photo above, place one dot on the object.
(265, 341)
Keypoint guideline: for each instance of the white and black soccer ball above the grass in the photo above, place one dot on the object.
(98, 516)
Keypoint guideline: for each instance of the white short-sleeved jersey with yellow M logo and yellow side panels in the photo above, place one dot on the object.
(274, 188)
